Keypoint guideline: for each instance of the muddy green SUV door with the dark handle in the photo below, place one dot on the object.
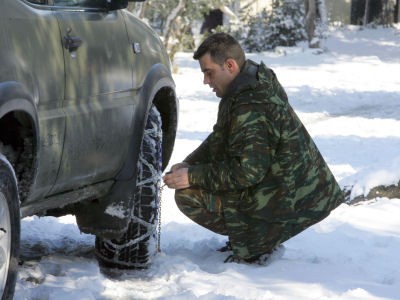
(99, 100)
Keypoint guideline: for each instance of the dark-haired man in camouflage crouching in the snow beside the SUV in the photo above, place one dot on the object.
(258, 177)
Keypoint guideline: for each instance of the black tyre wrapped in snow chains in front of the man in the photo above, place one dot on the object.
(138, 245)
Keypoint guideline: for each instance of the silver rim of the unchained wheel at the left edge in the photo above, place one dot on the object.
(5, 241)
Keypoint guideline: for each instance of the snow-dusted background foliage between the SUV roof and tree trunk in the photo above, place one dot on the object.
(283, 26)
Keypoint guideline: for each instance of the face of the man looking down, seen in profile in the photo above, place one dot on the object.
(216, 76)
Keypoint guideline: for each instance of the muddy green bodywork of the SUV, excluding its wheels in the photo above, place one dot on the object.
(84, 106)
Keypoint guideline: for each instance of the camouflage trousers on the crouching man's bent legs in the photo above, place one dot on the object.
(249, 236)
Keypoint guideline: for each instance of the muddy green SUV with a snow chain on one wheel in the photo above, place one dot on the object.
(88, 117)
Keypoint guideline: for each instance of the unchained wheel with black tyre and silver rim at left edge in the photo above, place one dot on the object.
(9, 229)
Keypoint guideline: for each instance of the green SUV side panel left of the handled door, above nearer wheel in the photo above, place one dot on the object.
(34, 58)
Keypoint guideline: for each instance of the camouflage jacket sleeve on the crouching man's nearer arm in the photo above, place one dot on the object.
(252, 142)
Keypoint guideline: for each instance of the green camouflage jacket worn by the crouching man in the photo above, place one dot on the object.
(262, 162)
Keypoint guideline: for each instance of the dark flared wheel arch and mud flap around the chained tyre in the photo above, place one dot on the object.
(158, 88)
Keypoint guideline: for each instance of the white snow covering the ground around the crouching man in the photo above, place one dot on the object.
(348, 98)
